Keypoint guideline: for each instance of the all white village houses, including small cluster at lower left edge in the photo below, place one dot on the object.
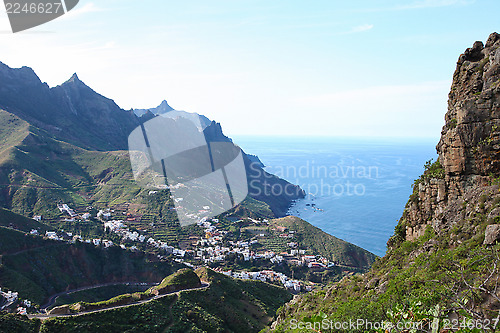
(210, 249)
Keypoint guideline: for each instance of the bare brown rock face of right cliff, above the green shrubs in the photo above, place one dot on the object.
(469, 149)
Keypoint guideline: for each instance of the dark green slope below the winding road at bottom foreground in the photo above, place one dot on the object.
(228, 305)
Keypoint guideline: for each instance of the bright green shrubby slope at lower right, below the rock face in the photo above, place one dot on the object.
(414, 276)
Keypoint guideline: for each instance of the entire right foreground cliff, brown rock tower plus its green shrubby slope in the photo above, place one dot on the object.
(443, 260)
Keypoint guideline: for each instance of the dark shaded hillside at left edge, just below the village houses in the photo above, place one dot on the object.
(38, 268)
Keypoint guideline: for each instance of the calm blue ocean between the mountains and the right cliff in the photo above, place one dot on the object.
(357, 187)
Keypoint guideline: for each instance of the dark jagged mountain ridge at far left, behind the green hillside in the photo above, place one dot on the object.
(72, 111)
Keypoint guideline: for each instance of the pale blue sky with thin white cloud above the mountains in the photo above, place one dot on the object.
(309, 68)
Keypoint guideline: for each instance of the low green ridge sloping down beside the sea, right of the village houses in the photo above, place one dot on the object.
(313, 238)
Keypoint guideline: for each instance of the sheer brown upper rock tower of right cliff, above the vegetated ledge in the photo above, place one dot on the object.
(470, 138)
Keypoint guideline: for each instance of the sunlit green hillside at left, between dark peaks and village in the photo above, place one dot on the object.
(37, 171)
